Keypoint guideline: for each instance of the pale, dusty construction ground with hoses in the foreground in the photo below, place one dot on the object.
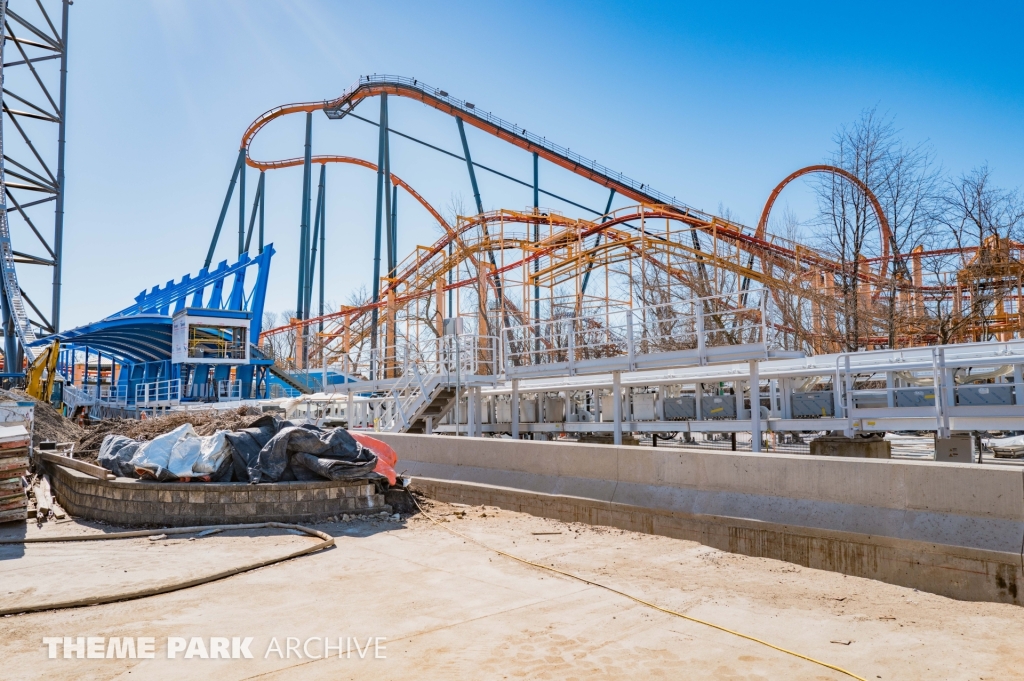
(446, 609)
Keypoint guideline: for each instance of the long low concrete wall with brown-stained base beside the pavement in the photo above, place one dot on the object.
(951, 529)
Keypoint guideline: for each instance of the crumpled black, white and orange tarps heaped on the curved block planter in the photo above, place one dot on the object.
(268, 450)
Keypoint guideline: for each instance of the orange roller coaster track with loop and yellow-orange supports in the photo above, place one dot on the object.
(654, 257)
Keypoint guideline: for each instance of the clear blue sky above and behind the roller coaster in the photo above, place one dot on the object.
(713, 103)
